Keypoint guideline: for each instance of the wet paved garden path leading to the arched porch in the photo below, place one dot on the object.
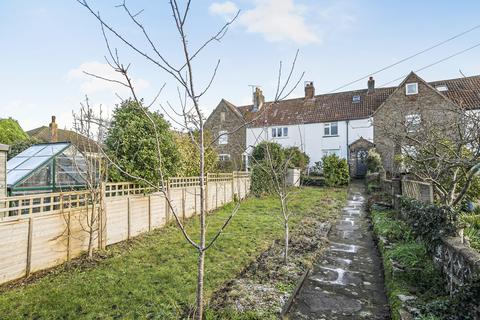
(347, 282)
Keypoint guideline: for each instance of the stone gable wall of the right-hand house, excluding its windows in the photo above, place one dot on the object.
(390, 117)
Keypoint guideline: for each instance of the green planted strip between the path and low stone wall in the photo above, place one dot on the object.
(401, 251)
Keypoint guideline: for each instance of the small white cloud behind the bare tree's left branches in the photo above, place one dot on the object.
(91, 84)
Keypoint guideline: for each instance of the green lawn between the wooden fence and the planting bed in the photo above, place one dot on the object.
(154, 276)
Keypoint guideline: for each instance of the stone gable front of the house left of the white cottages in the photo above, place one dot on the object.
(223, 118)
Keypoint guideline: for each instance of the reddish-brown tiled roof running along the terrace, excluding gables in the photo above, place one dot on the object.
(340, 106)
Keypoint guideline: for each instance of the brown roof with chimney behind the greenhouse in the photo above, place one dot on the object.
(52, 134)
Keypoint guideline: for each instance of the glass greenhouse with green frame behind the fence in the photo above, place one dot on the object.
(50, 167)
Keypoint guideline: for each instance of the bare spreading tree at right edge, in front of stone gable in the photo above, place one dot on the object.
(439, 145)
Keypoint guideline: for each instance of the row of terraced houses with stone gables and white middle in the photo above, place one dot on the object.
(337, 123)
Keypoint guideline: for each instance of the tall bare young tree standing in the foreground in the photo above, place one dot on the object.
(188, 110)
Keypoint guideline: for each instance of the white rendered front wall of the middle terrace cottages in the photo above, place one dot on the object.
(310, 137)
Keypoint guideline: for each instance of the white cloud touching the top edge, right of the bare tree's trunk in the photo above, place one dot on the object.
(276, 20)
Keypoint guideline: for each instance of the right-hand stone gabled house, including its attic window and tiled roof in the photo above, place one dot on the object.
(416, 103)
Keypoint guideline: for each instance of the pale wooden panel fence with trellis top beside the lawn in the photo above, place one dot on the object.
(42, 231)
